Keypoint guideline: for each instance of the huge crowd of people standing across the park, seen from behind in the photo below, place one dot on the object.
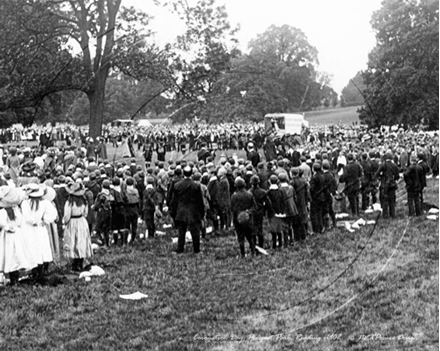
(54, 200)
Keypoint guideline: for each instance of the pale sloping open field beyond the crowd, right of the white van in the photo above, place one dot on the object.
(345, 116)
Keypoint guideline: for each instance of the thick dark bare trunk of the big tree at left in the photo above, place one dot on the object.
(96, 98)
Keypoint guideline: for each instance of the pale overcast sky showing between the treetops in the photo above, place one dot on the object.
(339, 29)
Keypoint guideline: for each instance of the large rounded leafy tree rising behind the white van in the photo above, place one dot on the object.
(278, 75)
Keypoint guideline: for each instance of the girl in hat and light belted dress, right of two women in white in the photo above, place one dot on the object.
(77, 241)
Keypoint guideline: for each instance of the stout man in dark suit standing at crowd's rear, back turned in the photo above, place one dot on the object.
(187, 210)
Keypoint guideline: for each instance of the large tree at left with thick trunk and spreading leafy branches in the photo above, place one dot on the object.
(46, 31)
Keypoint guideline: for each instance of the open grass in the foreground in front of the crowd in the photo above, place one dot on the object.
(338, 291)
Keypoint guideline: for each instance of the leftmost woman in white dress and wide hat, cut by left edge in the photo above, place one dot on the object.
(13, 255)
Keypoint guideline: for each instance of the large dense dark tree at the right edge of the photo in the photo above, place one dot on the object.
(402, 79)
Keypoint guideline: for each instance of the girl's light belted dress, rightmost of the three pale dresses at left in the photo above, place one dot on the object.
(77, 241)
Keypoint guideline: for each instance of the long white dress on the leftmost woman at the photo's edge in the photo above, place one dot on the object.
(13, 254)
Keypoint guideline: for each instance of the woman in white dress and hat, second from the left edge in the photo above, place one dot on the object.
(37, 214)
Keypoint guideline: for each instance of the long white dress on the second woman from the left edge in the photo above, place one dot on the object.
(34, 227)
